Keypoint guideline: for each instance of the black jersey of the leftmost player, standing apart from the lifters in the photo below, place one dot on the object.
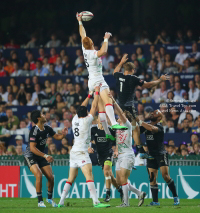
(38, 136)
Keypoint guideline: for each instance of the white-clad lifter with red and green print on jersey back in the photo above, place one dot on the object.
(125, 154)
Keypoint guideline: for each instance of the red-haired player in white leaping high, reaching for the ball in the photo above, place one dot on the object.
(94, 66)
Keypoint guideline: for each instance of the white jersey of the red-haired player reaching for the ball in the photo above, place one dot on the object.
(93, 63)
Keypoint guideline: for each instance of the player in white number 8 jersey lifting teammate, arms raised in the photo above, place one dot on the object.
(79, 157)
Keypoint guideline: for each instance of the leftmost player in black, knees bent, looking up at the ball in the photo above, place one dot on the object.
(37, 161)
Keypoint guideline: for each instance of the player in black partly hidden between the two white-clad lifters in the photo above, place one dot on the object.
(105, 156)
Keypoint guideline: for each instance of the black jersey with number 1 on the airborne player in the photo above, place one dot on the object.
(126, 85)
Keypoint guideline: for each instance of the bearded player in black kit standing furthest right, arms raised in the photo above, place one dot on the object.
(154, 138)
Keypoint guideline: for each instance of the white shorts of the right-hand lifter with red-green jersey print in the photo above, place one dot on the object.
(125, 161)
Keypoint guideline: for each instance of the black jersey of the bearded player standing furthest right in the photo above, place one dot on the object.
(154, 140)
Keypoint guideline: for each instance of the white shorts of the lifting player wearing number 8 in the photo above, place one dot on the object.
(79, 159)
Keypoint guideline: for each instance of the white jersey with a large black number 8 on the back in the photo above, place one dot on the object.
(82, 132)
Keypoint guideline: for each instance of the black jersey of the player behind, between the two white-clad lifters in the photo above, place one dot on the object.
(104, 146)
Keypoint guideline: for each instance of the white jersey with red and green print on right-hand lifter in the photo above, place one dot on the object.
(124, 139)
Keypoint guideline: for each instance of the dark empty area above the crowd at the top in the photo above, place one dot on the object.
(125, 18)
